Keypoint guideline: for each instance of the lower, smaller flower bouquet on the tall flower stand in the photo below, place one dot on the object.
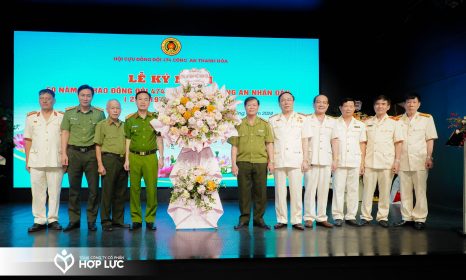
(197, 185)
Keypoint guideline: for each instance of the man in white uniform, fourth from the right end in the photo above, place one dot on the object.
(323, 154)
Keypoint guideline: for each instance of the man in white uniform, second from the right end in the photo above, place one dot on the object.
(384, 140)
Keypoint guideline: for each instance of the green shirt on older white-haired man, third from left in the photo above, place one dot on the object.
(111, 136)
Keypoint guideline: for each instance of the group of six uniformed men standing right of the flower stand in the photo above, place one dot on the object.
(293, 145)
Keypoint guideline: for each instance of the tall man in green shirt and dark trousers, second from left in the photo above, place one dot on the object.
(78, 129)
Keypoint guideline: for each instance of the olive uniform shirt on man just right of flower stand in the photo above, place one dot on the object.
(251, 140)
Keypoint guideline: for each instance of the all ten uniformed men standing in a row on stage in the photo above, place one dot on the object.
(290, 145)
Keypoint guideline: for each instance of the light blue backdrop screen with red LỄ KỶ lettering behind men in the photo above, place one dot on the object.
(117, 65)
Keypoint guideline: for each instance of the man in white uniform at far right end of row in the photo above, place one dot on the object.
(416, 160)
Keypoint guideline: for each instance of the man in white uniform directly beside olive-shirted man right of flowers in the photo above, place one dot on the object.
(291, 133)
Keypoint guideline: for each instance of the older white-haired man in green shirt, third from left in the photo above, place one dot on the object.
(110, 152)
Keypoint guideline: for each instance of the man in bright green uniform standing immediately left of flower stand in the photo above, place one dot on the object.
(141, 160)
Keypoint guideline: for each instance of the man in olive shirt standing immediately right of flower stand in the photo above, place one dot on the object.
(251, 156)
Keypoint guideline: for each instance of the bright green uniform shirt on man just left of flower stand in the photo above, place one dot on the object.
(140, 132)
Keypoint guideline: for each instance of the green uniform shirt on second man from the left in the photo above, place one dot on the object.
(81, 125)
